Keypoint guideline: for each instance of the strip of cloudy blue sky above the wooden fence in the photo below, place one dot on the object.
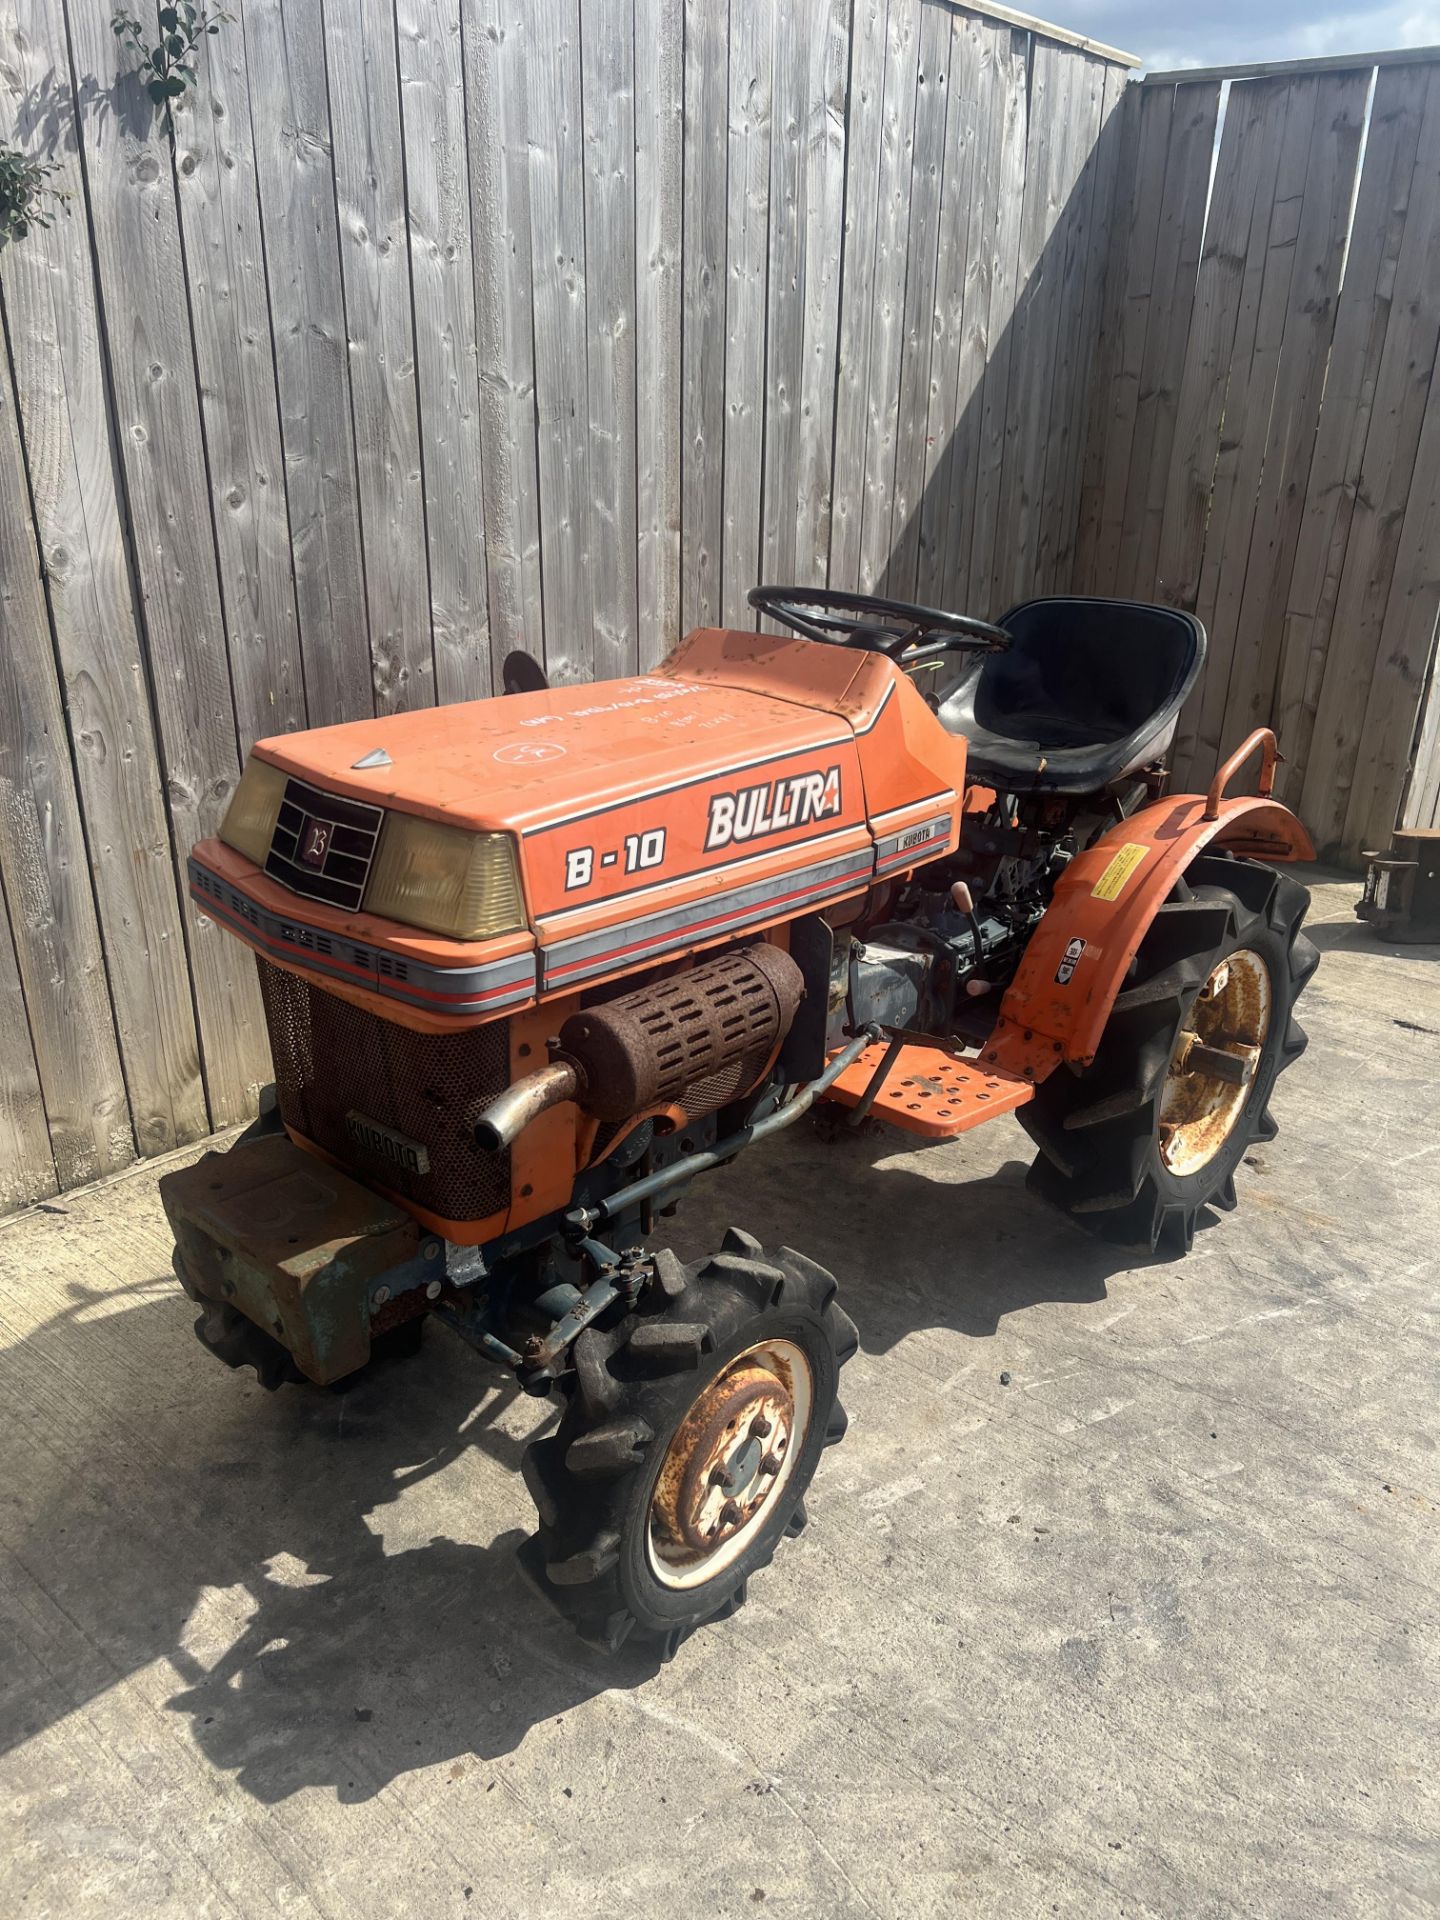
(1211, 34)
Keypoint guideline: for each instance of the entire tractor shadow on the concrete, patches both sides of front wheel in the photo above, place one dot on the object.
(297, 1560)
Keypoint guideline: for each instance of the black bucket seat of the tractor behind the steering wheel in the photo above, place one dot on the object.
(1088, 692)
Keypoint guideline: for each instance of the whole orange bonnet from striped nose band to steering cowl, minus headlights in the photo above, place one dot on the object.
(750, 780)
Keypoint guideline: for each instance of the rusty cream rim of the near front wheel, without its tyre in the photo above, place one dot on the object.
(729, 1464)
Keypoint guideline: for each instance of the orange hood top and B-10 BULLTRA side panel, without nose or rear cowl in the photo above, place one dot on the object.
(646, 813)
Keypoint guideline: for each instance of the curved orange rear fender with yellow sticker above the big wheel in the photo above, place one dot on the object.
(1078, 959)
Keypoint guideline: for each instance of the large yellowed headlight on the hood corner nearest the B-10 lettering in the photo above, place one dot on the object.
(446, 880)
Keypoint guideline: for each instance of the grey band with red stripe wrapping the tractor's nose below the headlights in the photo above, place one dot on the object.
(341, 957)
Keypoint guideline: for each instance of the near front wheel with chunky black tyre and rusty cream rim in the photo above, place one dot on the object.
(688, 1443)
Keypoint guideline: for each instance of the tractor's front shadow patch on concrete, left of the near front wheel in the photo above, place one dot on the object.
(272, 1550)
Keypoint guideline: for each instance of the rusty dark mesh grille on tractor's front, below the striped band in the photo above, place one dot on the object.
(373, 1093)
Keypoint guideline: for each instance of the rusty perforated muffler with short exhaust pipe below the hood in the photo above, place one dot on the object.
(698, 1040)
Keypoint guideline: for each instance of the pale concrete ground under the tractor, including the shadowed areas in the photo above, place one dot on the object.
(1149, 1631)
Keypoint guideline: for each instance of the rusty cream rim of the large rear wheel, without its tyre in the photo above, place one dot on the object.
(1214, 1063)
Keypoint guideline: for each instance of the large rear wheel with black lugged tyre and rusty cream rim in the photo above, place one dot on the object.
(1120, 1149)
